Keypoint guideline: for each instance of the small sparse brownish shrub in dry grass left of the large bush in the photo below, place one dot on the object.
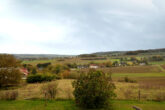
(49, 90)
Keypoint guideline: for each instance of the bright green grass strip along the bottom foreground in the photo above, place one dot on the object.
(70, 105)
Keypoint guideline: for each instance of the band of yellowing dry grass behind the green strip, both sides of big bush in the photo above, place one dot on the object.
(123, 90)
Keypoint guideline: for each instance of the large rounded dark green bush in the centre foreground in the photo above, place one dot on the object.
(94, 90)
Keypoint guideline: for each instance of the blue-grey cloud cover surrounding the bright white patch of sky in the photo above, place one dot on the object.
(101, 25)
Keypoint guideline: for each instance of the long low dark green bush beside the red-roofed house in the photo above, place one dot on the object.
(40, 78)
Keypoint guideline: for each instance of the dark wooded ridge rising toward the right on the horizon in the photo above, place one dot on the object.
(136, 52)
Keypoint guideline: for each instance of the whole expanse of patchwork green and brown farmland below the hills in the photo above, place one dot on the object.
(130, 79)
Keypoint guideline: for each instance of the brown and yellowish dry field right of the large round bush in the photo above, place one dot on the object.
(151, 88)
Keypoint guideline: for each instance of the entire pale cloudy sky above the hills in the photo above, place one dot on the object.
(80, 26)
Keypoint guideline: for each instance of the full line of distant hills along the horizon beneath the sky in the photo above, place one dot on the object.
(160, 51)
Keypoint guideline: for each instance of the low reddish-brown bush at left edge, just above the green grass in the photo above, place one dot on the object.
(9, 95)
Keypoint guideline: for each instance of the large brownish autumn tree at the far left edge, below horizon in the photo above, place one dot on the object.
(9, 72)
